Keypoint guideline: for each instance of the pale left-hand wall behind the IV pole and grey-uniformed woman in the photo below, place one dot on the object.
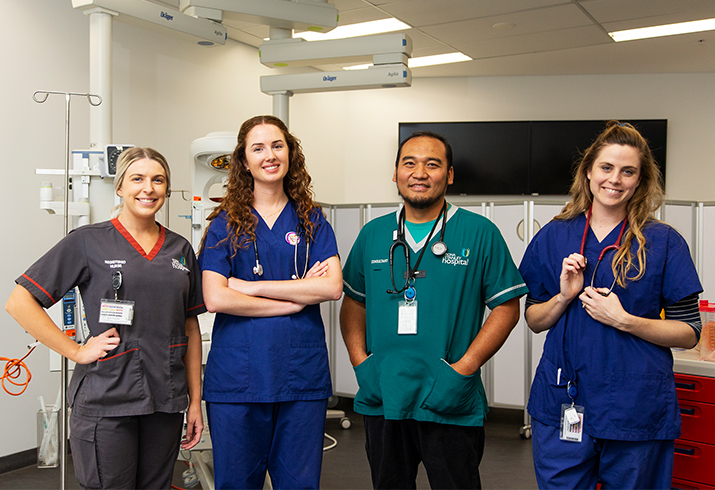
(167, 92)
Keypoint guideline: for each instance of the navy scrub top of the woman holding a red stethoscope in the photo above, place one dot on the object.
(625, 383)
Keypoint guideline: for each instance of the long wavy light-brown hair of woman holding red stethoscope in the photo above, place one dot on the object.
(641, 207)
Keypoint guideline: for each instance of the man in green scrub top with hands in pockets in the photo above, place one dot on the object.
(415, 331)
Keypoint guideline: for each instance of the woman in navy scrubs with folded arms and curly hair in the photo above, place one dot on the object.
(269, 258)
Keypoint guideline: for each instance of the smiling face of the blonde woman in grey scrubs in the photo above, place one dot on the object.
(144, 189)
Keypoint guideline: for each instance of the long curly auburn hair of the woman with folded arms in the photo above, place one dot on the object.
(238, 200)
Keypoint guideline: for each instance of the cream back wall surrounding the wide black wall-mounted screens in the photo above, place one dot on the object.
(352, 137)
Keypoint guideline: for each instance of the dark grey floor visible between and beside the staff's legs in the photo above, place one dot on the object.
(507, 460)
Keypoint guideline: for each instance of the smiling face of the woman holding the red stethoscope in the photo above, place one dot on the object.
(614, 177)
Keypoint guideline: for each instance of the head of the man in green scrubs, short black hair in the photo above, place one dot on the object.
(422, 174)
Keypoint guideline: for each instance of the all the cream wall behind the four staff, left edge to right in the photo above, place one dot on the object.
(168, 92)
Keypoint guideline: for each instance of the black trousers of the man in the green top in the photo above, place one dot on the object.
(450, 453)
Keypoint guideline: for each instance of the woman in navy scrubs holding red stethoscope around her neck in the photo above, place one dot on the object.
(603, 401)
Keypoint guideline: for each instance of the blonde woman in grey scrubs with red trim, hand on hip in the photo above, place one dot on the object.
(141, 289)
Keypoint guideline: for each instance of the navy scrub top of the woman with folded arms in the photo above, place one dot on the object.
(274, 359)
